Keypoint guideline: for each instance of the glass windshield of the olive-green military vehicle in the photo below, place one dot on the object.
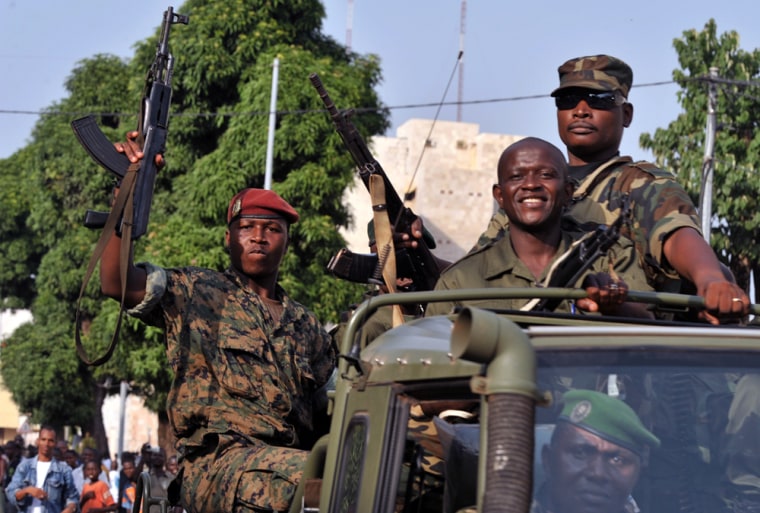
(702, 406)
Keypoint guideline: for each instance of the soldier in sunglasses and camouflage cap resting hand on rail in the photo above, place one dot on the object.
(592, 113)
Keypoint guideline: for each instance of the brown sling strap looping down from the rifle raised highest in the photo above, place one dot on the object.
(123, 208)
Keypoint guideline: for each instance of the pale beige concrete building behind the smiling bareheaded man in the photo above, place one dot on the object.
(451, 186)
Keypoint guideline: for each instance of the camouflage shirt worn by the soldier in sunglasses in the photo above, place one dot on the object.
(659, 206)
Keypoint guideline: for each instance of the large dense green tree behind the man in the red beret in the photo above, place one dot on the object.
(217, 145)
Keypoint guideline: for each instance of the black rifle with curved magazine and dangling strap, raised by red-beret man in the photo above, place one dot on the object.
(131, 209)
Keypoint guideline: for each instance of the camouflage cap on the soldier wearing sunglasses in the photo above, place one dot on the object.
(600, 72)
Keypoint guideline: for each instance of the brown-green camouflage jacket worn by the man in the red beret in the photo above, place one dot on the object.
(235, 370)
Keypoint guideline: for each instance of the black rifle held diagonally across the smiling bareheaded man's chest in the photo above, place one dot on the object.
(583, 255)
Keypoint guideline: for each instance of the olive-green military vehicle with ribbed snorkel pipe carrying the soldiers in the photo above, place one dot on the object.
(452, 413)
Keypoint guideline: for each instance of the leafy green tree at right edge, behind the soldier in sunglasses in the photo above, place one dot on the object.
(680, 147)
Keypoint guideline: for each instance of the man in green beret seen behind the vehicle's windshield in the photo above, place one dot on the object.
(594, 458)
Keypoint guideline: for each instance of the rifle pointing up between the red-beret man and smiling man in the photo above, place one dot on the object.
(420, 260)
